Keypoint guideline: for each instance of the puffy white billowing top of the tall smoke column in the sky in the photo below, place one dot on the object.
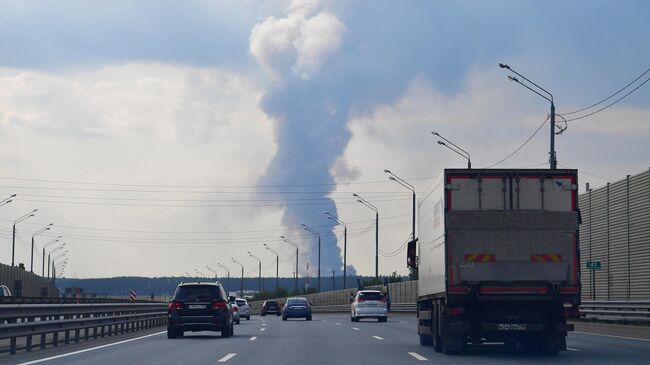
(299, 42)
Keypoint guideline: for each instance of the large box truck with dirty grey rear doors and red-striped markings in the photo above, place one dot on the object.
(498, 259)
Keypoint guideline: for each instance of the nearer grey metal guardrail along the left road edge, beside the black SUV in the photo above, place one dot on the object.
(28, 320)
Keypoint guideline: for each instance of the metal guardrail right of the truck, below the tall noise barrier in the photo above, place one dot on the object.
(632, 311)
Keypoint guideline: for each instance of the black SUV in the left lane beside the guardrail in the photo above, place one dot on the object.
(199, 307)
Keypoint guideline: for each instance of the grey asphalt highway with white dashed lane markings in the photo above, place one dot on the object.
(328, 339)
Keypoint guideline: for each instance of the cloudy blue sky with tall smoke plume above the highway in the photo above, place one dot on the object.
(164, 138)
